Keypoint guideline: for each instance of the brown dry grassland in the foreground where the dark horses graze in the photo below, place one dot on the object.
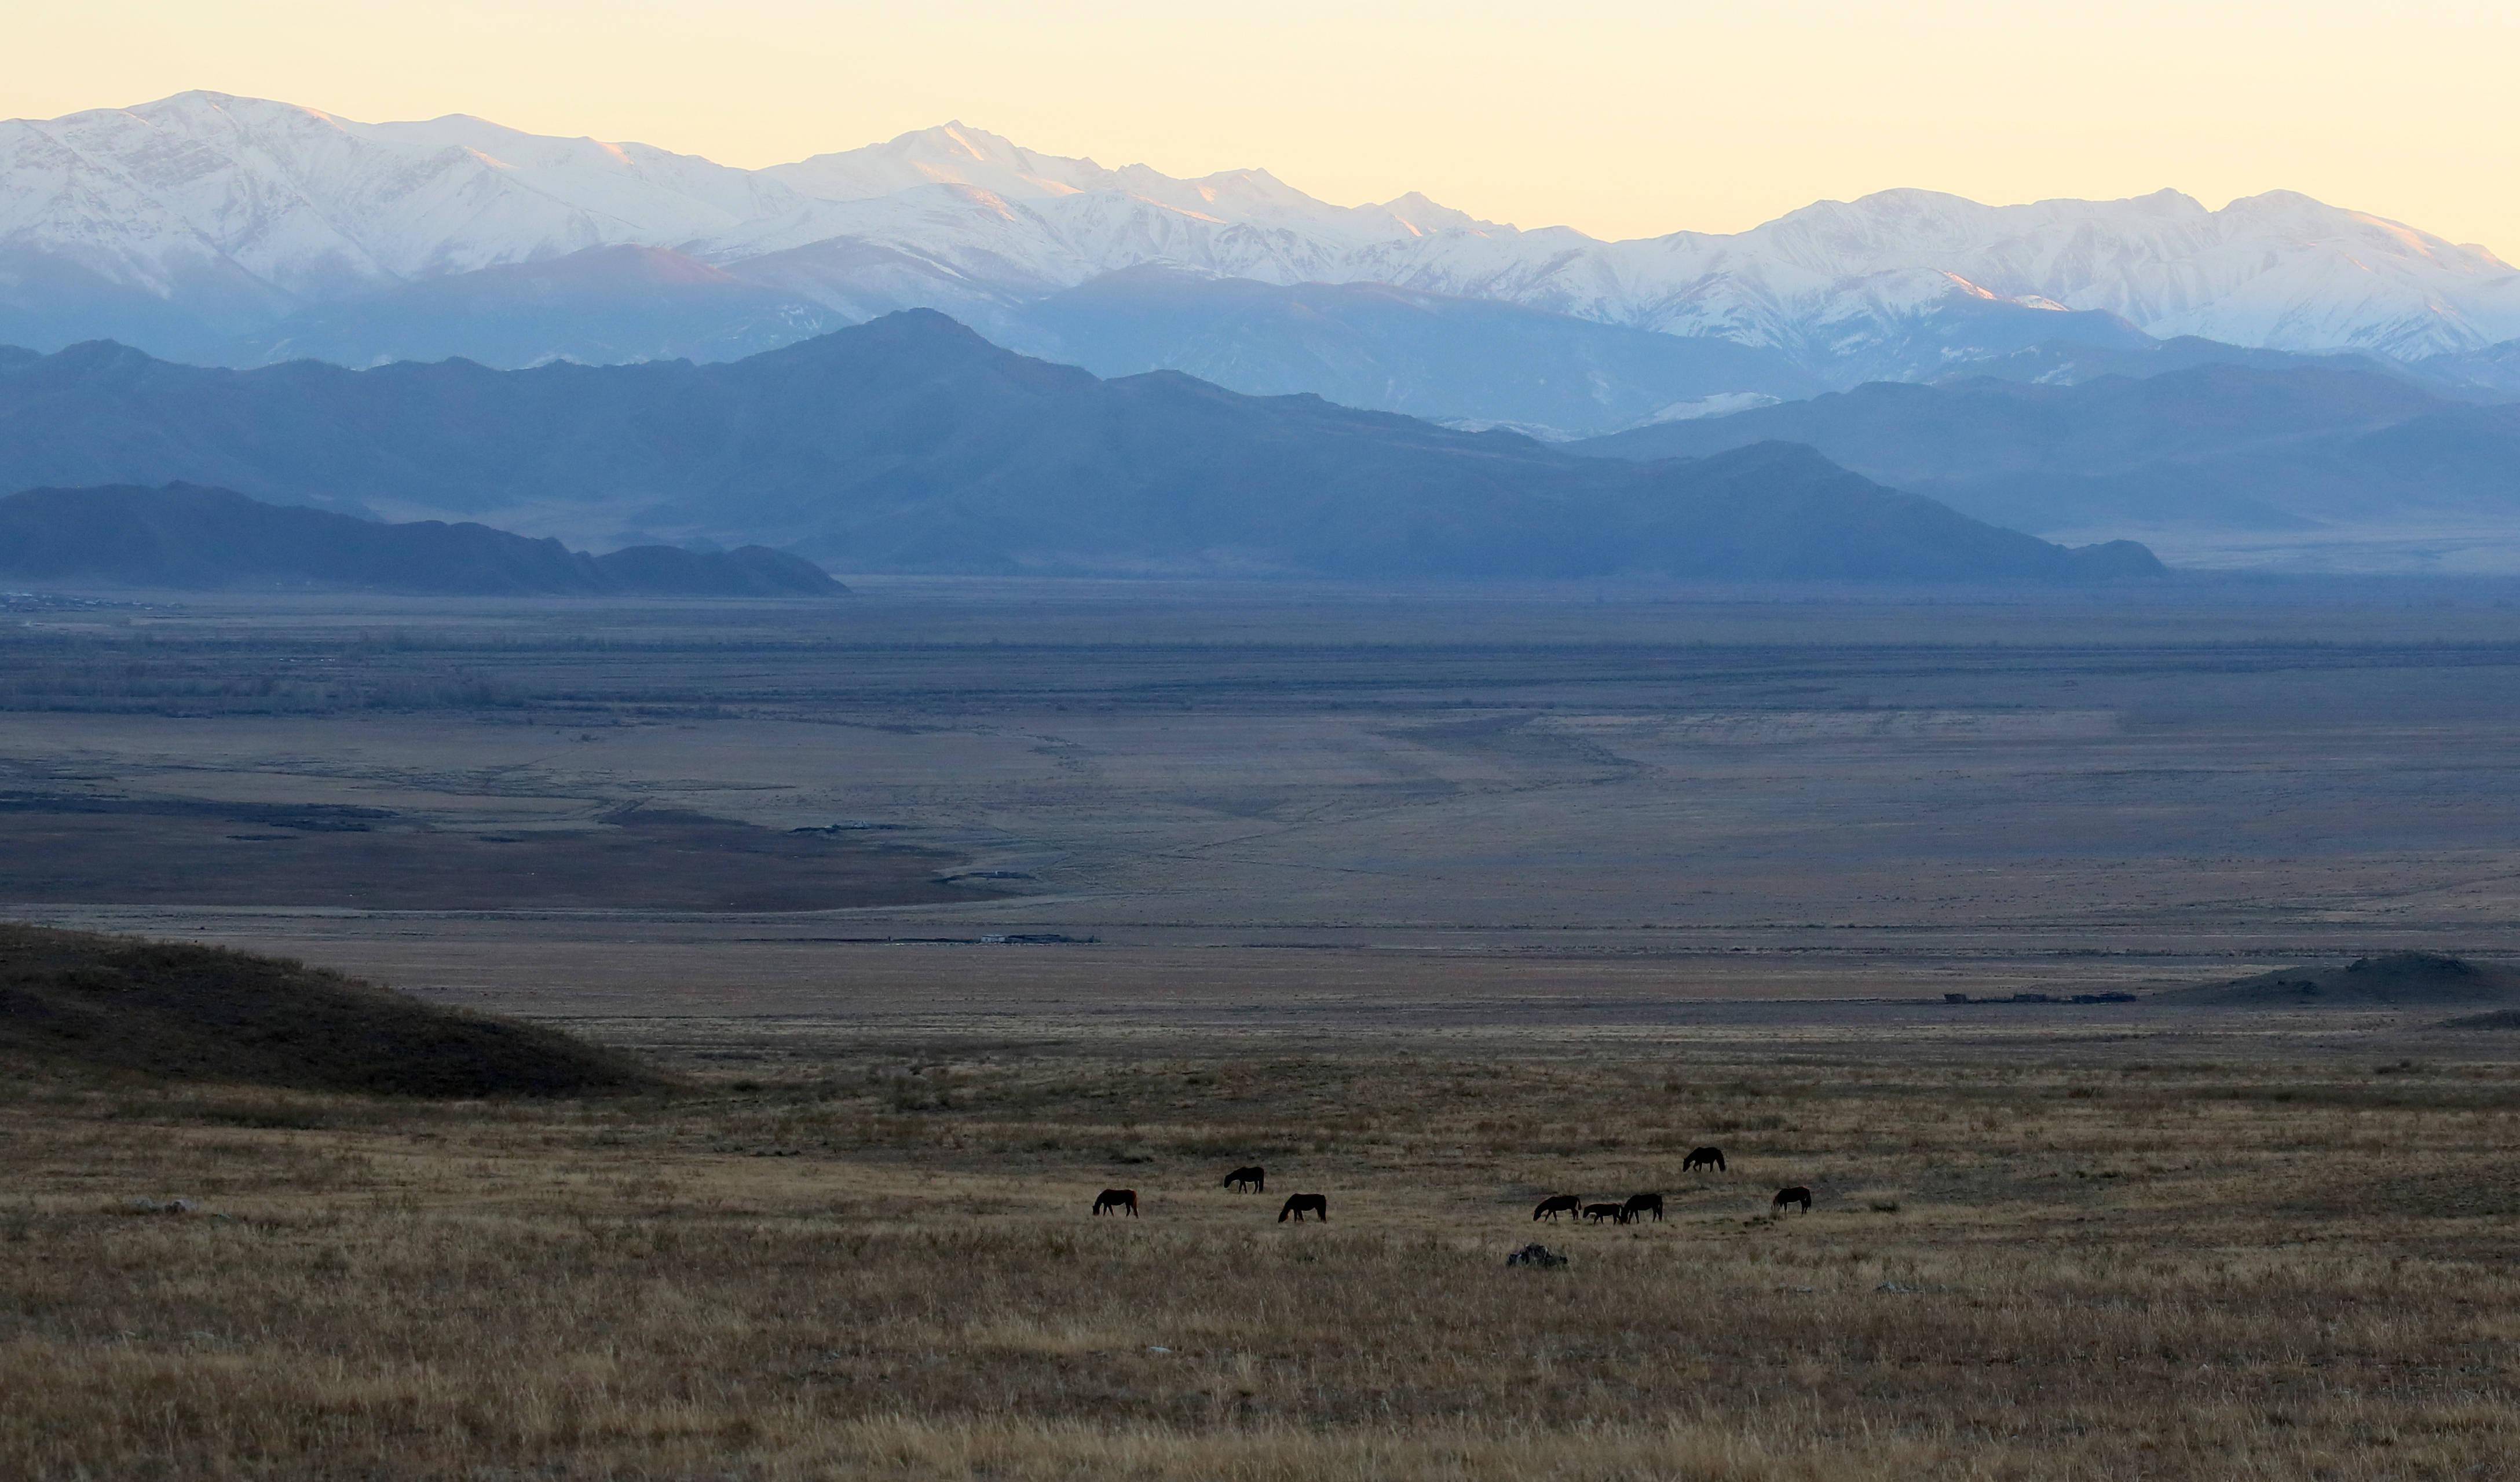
(876, 1261)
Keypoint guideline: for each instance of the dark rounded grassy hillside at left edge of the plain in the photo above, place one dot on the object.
(208, 1014)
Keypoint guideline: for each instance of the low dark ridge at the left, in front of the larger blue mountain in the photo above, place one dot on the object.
(185, 536)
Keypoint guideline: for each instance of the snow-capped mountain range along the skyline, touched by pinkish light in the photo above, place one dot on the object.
(236, 228)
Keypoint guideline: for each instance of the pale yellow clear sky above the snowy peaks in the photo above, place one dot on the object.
(1622, 117)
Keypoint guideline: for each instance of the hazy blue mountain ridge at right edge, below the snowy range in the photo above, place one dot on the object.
(2216, 445)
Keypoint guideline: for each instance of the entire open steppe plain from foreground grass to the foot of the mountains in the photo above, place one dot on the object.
(1428, 901)
